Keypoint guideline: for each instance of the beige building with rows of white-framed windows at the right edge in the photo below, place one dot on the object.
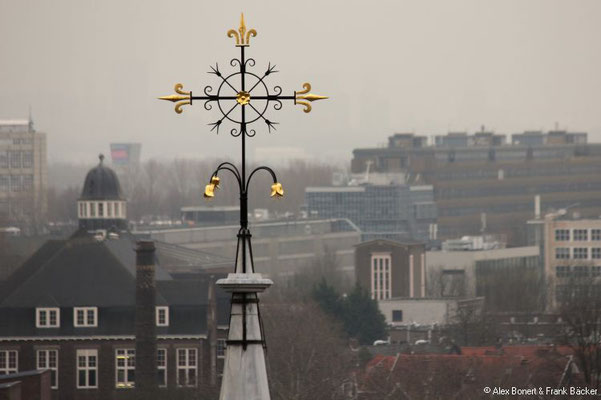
(571, 251)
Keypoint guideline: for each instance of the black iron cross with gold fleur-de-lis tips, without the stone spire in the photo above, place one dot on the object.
(248, 91)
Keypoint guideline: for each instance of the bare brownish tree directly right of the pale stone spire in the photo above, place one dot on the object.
(308, 359)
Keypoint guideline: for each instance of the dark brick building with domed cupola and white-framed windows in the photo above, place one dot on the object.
(71, 308)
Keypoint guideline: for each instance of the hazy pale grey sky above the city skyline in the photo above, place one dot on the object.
(91, 70)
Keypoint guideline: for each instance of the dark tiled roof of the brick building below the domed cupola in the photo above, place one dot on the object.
(83, 272)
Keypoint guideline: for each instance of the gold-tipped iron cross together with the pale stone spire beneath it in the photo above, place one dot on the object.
(244, 375)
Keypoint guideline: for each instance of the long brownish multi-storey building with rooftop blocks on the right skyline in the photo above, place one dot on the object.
(483, 185)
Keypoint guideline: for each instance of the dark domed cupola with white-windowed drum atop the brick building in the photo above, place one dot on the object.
(101, 205)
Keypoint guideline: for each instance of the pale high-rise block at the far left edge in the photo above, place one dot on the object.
(23, 175)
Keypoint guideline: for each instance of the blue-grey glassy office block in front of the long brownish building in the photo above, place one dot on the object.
(390, 211)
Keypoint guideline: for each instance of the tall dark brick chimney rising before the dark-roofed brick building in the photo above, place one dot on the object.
(146, 343)
